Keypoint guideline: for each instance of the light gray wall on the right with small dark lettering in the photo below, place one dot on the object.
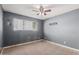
(66, 32)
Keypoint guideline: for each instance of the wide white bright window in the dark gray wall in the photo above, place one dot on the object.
(24, 25)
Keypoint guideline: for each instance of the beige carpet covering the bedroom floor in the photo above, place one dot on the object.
(39, 48)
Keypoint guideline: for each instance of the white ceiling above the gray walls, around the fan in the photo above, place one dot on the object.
(26, 9)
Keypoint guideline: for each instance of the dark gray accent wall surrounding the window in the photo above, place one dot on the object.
(11, 37)
